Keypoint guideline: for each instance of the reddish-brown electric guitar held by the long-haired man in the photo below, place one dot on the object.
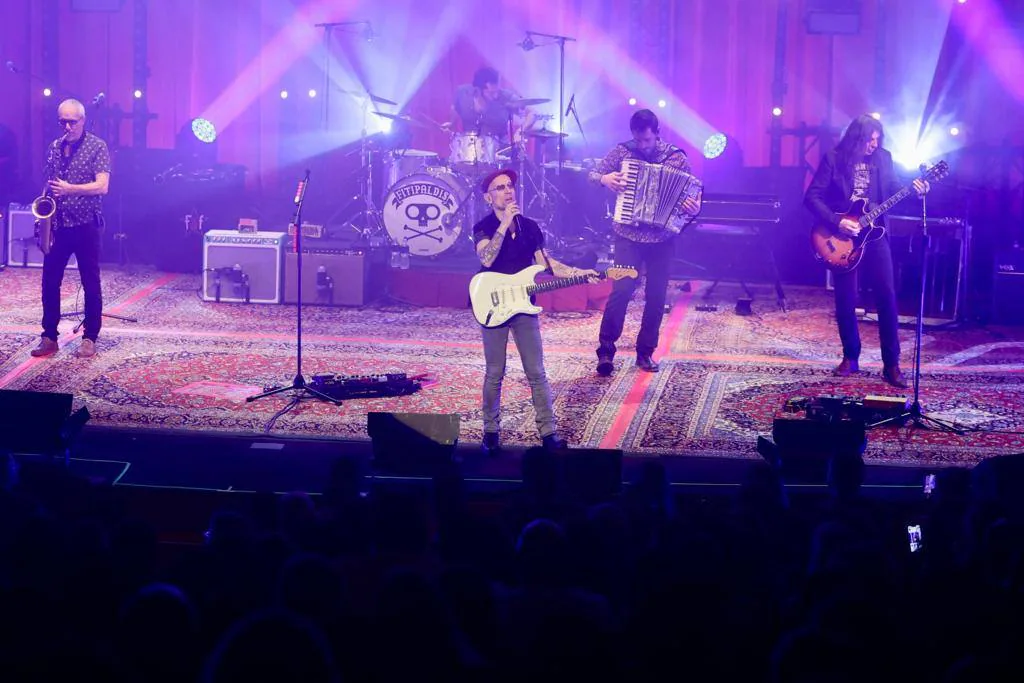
(842, 253)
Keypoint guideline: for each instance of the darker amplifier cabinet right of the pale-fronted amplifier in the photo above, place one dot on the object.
(330, 278)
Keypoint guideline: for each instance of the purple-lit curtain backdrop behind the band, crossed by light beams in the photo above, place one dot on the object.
(712, 63)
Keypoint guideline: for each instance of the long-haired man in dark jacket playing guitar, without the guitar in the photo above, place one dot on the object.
(861, 168)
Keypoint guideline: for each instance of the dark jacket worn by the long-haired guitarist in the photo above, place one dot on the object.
(829, 194)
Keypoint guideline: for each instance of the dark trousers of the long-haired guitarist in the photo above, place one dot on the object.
(877, 267)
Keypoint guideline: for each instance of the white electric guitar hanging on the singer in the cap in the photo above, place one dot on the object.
(498, 297)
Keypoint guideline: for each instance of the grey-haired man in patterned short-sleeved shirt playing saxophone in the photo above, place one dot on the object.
(78, 173)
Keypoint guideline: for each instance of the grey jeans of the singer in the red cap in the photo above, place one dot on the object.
(527, 332)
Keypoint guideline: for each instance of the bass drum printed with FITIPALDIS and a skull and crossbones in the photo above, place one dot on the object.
(425, 211)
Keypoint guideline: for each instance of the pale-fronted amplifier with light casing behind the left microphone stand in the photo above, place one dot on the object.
(243, 267)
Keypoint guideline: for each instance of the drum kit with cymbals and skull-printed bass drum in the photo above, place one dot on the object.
(431, 204)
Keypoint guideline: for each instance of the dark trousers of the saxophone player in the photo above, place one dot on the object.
(83, 242)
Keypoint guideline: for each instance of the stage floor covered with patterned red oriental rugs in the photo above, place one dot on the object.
(189, 365)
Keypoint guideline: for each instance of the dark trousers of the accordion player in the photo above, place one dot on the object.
(658, 260)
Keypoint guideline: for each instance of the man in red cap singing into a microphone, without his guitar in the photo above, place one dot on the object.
(508, 242)
